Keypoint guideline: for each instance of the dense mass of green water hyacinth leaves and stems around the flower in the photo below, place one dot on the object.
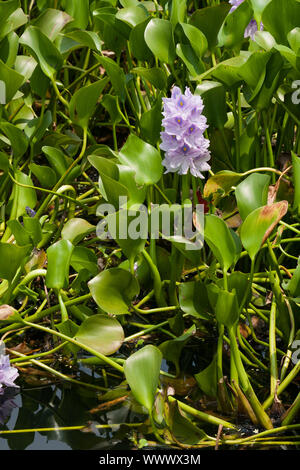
(81, 88)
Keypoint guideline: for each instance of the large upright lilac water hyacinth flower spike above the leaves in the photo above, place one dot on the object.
(186, 148)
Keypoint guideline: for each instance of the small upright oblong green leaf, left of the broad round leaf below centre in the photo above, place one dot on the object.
(59, 256)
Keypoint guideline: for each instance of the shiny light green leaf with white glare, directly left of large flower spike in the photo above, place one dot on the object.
(143, 158)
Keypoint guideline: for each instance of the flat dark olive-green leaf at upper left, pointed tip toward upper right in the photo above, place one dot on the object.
(84, 101)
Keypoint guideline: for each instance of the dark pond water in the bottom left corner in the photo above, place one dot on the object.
(57, 406)
